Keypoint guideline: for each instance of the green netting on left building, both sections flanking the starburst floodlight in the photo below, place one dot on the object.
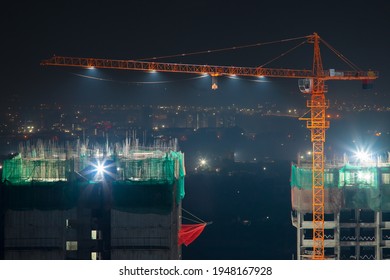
(142, 184)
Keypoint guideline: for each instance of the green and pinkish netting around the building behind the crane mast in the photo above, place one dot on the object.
(347, 187)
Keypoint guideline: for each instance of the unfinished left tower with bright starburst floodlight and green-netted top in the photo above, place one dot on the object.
(74, 202)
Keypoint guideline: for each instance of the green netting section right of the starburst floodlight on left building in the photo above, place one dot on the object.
(149, 184)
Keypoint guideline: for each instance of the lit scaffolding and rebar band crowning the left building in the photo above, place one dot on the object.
(50, 162)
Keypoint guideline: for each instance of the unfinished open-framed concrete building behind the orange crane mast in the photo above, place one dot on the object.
(357, 209)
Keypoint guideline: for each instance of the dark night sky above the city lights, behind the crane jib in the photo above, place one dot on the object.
(36, 30)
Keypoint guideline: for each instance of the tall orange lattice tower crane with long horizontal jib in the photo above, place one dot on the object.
(316, 123)
